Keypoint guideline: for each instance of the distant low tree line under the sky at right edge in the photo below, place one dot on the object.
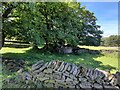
(113, 40)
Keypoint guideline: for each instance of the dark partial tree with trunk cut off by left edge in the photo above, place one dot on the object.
(6, 11)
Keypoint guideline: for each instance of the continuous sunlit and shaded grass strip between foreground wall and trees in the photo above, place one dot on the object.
(103, 61)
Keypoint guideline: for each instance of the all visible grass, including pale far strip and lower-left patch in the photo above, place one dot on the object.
(104, 61)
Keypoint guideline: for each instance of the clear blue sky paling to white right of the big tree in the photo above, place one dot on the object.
(107, 15)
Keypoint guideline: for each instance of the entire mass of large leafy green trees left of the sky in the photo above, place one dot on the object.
(50, 24)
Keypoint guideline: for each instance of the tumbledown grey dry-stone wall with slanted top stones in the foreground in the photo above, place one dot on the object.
(59, 74)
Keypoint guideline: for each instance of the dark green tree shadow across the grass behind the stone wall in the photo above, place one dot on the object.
(31, 57)
